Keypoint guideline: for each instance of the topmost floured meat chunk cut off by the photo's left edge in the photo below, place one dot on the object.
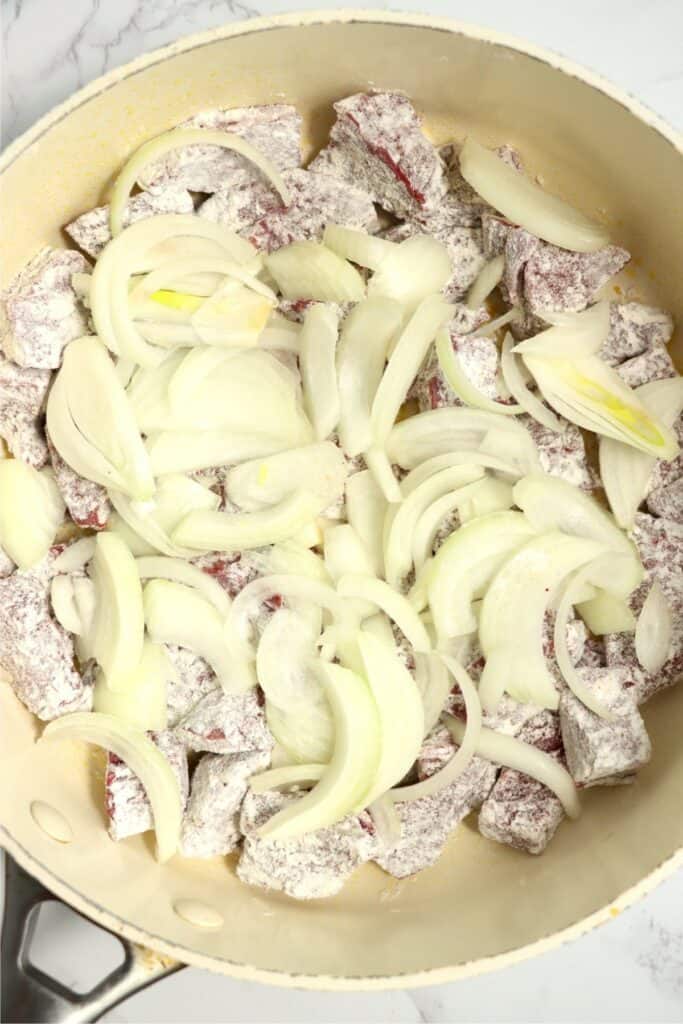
(40, 312)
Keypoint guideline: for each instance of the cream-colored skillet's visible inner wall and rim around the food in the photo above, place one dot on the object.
(482, 907)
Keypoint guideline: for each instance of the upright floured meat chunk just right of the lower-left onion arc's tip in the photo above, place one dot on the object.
(211, 824)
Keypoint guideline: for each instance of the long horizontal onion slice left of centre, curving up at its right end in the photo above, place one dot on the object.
(242, 531)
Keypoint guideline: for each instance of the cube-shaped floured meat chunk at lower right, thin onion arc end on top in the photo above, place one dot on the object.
(599, 752)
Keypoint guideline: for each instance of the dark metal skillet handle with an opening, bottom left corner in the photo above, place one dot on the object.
(30, 995)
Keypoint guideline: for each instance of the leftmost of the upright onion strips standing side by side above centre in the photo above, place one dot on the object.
(318, 354)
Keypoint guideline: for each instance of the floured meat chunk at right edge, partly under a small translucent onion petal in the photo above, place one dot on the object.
(660, 544)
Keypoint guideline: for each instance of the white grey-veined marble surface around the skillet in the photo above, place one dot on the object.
(631, 970)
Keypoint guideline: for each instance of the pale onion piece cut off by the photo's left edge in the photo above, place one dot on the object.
(31, 511)
